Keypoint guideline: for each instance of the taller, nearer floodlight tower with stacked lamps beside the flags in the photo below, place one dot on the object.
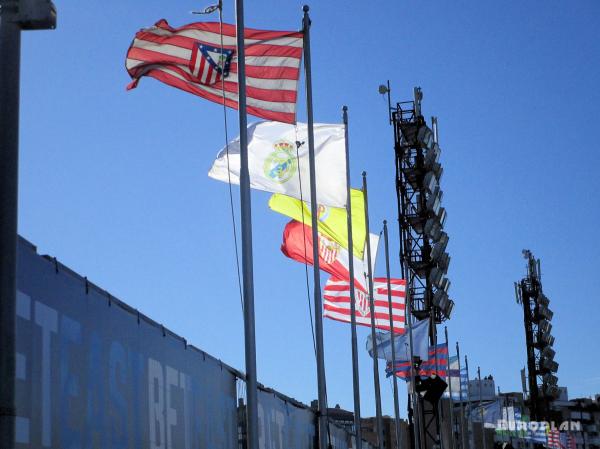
(421, 219)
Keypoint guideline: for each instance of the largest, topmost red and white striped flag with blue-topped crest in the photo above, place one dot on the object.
(192, 58)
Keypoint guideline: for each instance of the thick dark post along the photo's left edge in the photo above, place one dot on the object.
(10, 49)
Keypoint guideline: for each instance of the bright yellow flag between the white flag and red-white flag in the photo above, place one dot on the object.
(332, 220)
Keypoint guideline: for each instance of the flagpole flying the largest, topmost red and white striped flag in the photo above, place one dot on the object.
(323, 418)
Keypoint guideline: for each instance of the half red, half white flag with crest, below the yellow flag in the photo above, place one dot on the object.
(333, 259)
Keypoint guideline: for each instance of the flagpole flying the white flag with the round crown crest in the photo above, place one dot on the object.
(355, 378)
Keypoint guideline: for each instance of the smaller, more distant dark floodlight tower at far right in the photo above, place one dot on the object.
(541, 366)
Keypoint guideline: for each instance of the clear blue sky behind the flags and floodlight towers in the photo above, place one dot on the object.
(114, 183)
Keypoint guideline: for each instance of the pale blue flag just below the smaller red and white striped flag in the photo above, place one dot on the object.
(420, 338)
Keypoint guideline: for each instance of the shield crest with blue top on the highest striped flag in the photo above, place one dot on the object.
(208, 65)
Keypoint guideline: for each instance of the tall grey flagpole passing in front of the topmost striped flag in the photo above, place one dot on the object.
(246, 218)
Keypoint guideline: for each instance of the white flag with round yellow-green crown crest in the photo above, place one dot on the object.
(278, 161)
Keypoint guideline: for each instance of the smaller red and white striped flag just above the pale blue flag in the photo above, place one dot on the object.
(337, 303)
